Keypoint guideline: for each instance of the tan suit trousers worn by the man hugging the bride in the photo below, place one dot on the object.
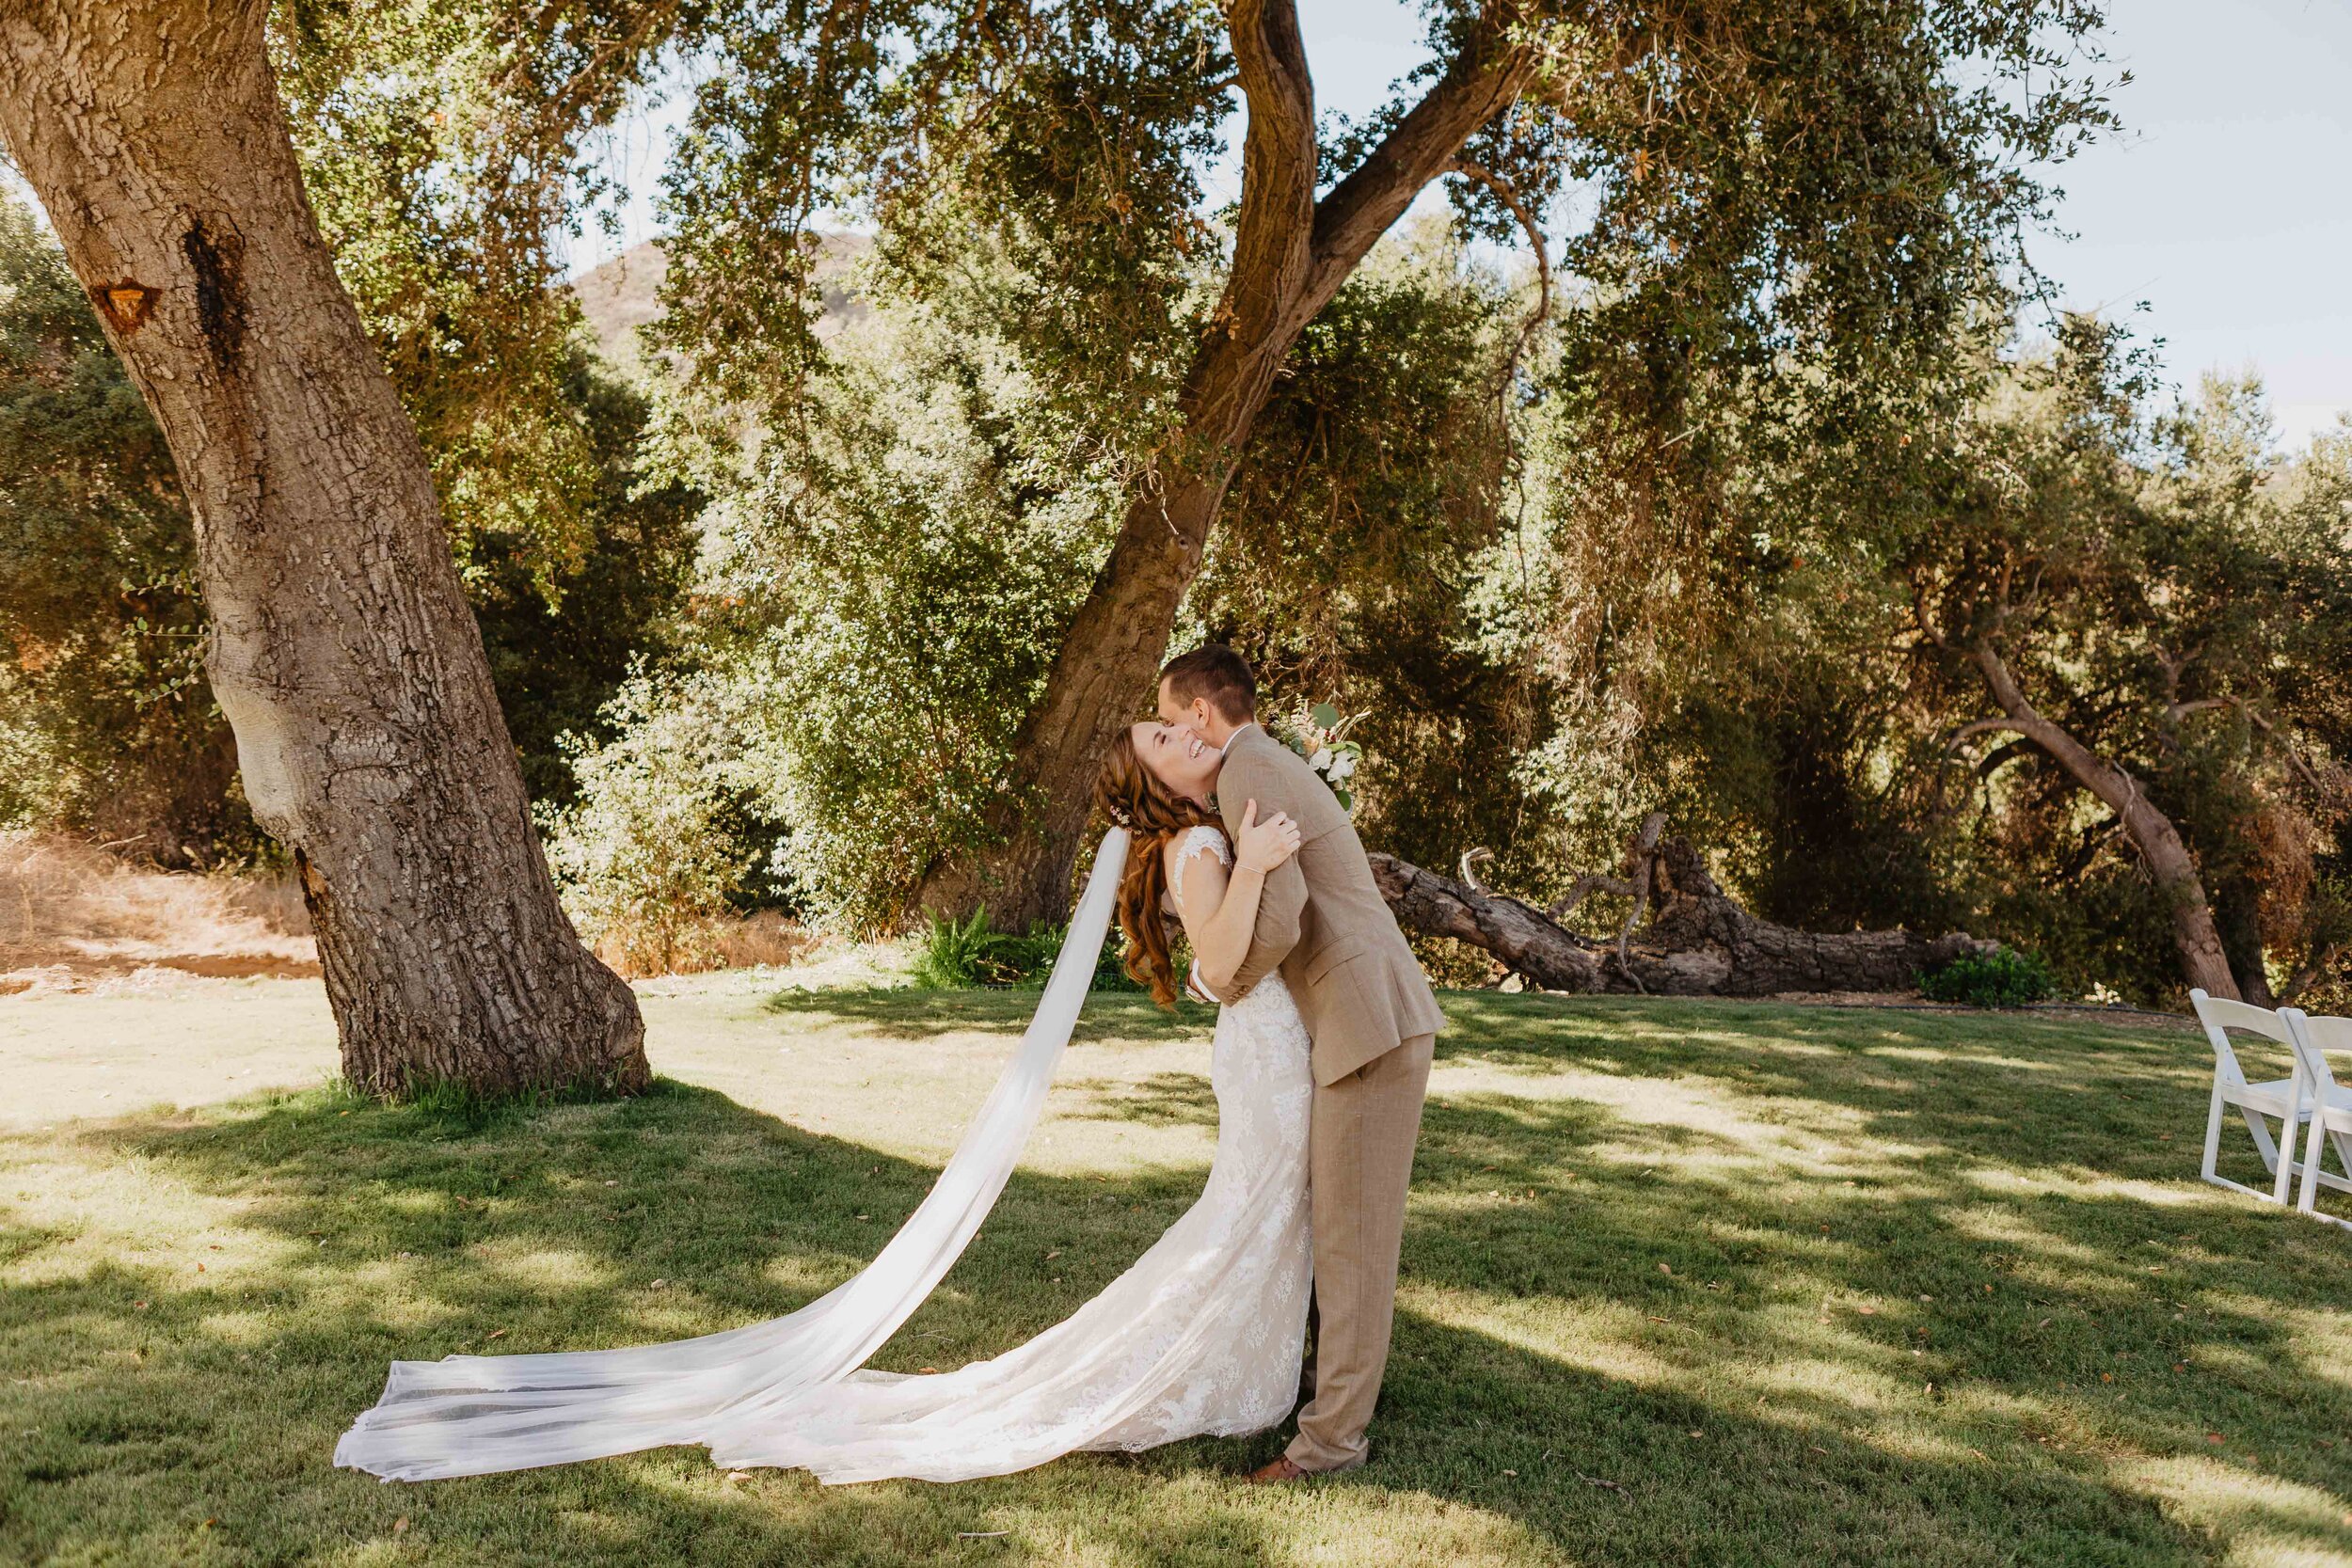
(1361, 1160)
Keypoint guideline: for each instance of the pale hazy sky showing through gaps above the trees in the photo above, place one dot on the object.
(2226, 203)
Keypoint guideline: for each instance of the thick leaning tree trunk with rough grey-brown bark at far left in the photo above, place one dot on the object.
(342, 648)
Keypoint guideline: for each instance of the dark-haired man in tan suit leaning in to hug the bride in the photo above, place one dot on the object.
(1372, 1024)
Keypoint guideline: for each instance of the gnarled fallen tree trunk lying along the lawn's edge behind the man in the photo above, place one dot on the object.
(1697, 944)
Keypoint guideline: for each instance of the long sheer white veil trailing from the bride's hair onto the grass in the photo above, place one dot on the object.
(472, 1416)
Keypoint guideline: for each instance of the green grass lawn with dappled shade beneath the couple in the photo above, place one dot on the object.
(1685, 1282)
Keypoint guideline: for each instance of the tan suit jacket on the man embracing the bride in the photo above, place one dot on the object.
(1321, 918)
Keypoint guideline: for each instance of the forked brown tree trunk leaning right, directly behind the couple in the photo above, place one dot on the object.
(1290, 257)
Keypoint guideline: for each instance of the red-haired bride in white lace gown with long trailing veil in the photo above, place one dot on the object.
(1201, 1336)
